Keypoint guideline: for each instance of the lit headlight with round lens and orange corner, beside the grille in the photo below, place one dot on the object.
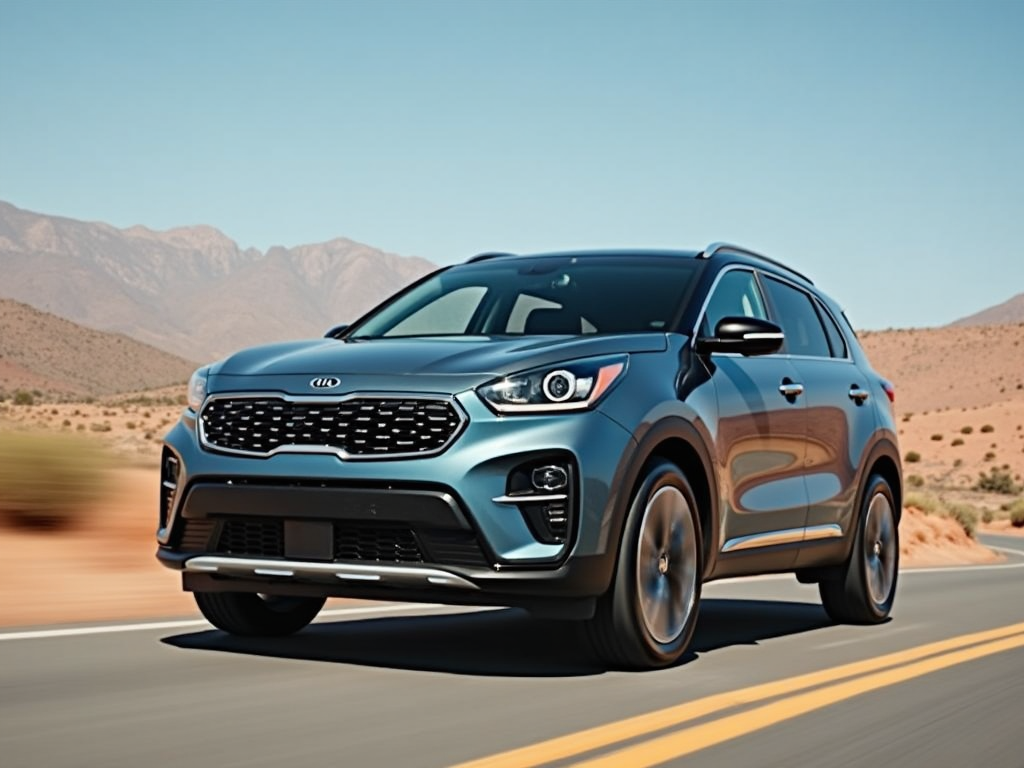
(571, 387)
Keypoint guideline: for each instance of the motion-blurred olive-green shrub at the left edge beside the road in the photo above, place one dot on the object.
(47, 480)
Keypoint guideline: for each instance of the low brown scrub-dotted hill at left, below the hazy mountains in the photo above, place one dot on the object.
(54, 356)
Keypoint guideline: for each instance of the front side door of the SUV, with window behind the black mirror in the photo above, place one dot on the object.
(759, 439)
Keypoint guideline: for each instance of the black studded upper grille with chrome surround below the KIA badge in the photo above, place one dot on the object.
(357, 428)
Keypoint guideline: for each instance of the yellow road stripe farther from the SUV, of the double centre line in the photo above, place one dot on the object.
(688, 741)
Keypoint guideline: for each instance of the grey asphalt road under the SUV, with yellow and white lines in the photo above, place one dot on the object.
(770, 682)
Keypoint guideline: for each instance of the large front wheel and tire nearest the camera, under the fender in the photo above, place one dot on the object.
(647, 618)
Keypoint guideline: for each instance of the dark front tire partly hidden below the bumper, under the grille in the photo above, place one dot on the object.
(258, 616)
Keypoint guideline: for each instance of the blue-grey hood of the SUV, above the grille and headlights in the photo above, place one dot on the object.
(484, 357)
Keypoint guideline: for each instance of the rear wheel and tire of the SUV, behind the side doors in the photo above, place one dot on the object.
(865, 589)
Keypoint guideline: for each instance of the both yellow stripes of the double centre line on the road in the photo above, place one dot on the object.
(794, 697)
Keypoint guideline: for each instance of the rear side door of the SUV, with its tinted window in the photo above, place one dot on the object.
(840, 421)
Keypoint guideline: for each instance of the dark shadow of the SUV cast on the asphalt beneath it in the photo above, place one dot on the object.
(504, 644)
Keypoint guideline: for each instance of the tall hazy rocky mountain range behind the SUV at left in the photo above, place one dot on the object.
(191, 290)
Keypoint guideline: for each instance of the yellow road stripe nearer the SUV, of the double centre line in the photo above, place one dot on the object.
(589, 740)
